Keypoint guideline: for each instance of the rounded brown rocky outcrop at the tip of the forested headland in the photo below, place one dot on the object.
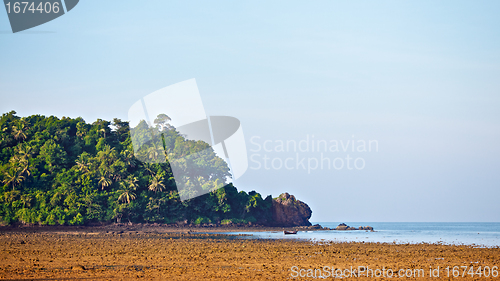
(287, 211)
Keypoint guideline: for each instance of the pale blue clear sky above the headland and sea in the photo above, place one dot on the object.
(418, 78)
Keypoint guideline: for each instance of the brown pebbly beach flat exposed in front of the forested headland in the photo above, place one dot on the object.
(183, 254)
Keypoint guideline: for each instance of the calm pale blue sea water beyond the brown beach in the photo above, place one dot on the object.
(480, 234)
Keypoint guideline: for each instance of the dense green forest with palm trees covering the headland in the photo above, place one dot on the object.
(68, 172)
